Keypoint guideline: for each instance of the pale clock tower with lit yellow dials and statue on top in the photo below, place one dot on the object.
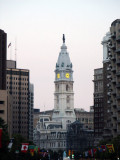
(64, 95)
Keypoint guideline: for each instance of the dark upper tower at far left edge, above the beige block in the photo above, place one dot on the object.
(3, 48)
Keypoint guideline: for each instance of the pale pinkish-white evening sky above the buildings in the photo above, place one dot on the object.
(35, 29)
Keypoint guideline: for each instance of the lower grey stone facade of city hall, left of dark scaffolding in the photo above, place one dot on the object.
(49, 135)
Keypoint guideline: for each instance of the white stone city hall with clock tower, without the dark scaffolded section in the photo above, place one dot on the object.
(52, 134)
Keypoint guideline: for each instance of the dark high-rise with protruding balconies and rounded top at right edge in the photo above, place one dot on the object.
(114, 83)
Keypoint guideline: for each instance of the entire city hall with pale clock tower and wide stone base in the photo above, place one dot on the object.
(52, 129)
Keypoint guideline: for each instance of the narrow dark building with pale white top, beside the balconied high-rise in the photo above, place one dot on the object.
(106, 84)
